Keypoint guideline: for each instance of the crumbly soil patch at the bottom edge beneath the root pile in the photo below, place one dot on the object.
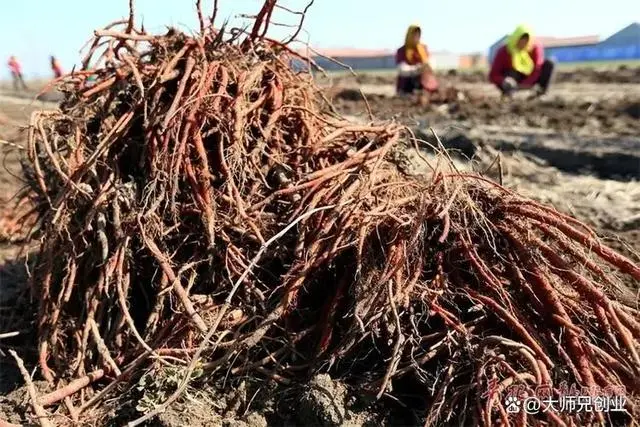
(252, 403)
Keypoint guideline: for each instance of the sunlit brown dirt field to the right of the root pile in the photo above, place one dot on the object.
(581, 155)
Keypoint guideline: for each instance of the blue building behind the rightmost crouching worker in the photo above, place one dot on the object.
(621, 46)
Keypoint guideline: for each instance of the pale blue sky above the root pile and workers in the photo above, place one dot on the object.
(34, 29)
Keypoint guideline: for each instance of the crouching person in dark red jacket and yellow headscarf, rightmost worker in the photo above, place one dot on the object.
(520, 64)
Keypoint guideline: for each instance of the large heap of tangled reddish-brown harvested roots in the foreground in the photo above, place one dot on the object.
(201, 204)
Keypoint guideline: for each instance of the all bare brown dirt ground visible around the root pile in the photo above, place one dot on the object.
(577, 148)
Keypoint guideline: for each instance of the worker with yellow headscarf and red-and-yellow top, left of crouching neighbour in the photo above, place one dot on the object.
(414, 69)
